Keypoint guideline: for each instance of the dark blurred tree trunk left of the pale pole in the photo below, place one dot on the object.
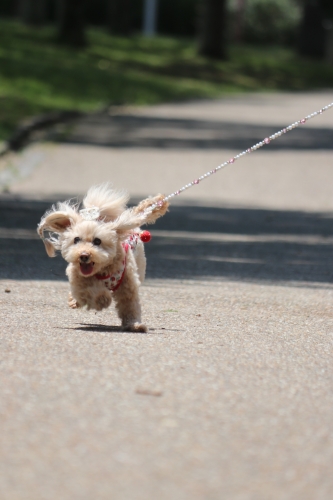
(71, 22)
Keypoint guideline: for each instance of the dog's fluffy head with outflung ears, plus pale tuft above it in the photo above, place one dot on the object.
(91, 238)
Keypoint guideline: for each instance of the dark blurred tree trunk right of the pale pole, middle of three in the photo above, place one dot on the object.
(212, 29)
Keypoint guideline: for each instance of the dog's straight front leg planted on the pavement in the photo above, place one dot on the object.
(128, 302)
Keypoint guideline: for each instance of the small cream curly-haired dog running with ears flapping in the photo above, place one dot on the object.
(103, 248)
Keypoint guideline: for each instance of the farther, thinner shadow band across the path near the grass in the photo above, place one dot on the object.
(119, 131)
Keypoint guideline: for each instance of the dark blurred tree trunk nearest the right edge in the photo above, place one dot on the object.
(312, 36)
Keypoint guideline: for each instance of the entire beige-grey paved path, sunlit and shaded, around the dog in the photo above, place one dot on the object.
(229, 395)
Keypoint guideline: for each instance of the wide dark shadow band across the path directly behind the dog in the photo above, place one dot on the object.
(192, 242)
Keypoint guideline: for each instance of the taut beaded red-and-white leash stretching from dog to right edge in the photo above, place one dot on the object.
(264, 142)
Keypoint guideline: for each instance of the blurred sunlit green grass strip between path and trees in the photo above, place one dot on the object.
(37, 75)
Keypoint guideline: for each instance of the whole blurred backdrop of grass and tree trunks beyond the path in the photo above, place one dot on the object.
(83, 55)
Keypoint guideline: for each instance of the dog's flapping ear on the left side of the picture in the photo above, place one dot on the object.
(55, 221)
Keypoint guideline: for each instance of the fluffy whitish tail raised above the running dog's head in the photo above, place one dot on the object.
(111, 203)
